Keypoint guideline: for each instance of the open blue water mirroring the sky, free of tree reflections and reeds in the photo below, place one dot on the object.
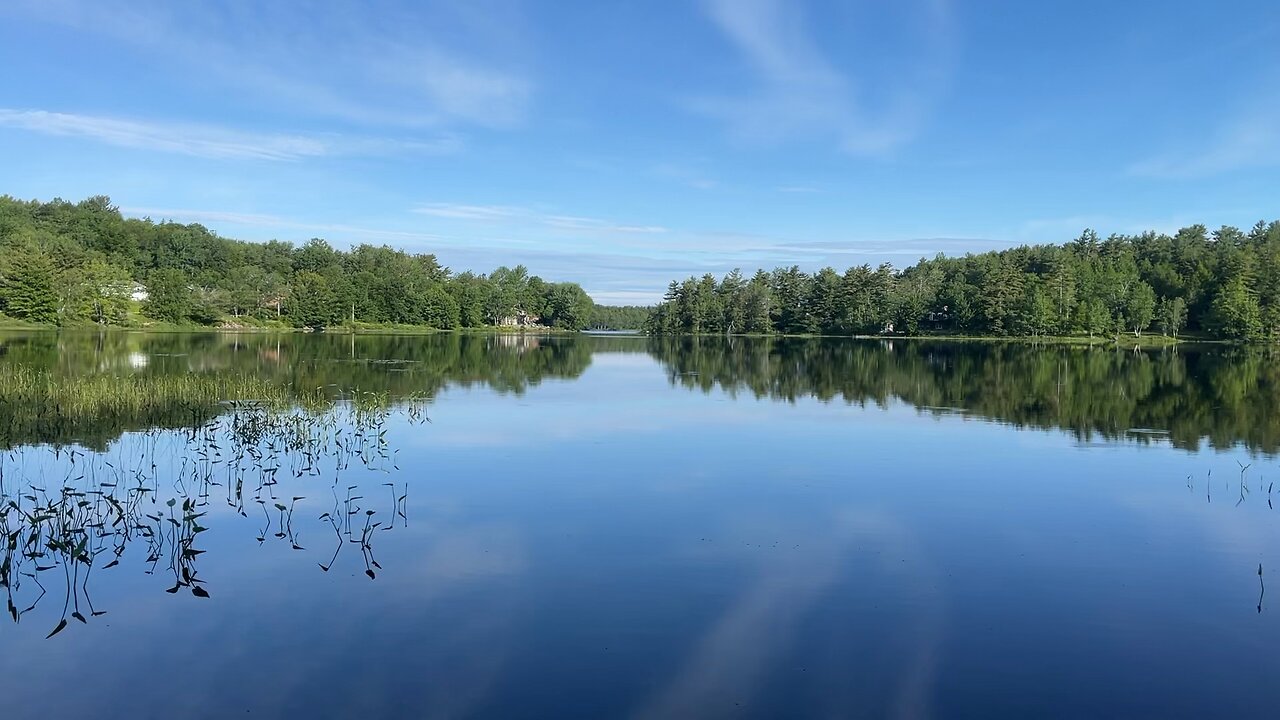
(616, 546)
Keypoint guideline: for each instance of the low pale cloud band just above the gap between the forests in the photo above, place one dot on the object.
(618, 272)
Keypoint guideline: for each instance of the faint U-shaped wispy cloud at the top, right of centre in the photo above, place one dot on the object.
(802, 93)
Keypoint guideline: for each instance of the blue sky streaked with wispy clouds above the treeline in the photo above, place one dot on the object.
(624, 144)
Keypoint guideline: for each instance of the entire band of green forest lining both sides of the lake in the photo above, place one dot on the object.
(81, 263)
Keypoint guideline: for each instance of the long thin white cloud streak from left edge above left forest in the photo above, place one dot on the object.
(211, 142)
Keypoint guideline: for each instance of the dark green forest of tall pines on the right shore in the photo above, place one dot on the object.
(1222, 285)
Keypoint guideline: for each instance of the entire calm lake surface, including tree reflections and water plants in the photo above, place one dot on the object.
(506, 527)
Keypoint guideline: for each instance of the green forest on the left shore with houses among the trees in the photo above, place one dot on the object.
(79, 263)
